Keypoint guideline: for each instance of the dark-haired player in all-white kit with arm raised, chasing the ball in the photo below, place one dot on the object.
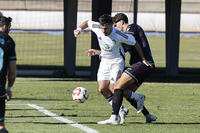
(112, 55)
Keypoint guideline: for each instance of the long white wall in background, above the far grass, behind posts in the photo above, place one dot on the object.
(53, 20)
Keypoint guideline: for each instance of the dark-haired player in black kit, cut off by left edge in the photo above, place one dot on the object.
(7, 67)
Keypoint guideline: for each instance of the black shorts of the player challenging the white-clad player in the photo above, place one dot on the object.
(139, 72)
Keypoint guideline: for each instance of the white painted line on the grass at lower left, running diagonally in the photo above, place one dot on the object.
(71, 123)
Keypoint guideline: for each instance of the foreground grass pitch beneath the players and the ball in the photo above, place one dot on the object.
(175, 104)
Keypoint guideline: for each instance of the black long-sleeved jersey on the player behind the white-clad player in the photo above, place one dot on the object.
(140, 37)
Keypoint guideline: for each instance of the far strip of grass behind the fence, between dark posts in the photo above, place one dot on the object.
(47, 50)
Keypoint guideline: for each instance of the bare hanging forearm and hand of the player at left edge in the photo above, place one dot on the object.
(12, 72)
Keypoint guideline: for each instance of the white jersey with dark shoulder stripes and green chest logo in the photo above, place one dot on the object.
(111, 45)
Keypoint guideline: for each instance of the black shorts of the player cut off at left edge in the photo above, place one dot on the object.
(2, 107)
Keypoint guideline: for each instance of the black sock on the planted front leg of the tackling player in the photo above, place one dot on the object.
(117, 101)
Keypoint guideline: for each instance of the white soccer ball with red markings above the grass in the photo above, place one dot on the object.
(80, 94)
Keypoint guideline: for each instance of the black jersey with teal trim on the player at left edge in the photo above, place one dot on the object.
(7, 53)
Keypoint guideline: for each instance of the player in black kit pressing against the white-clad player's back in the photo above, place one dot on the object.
(133, 76)
